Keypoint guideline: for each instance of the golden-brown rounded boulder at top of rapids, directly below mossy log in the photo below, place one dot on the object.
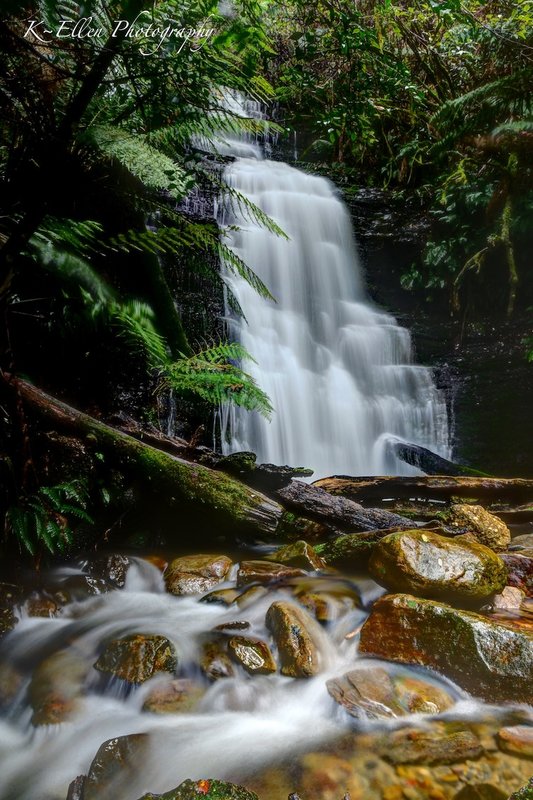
(196, 574)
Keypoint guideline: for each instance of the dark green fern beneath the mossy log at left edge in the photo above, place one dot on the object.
(45, 519)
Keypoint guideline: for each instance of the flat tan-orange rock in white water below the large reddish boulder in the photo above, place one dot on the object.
(373, 693)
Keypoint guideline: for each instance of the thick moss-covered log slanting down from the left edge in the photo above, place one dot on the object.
(204, 498)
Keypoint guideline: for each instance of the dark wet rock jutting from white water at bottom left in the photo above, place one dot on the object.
(118, 763)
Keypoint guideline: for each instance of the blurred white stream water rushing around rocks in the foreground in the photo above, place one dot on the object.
(242, 724)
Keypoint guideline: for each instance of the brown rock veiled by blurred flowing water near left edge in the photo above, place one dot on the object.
(56, 688)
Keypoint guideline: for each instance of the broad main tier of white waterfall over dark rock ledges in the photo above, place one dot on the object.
(339, 371)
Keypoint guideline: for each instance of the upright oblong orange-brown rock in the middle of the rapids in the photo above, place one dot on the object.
(295, 633)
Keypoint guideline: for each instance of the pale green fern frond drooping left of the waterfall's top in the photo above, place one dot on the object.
(146, 163)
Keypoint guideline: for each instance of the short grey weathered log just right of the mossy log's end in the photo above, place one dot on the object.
(313, 501)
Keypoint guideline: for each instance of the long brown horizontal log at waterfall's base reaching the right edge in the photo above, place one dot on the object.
(432, 487)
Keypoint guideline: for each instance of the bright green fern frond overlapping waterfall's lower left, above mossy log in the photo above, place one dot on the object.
(214, 374)
